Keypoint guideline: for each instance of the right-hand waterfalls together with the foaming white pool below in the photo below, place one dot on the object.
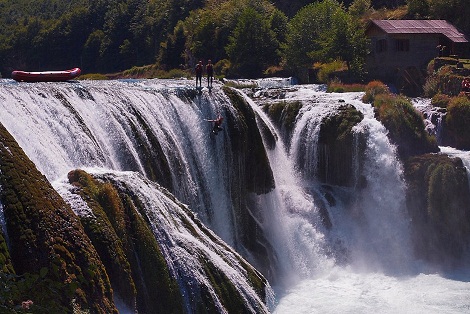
(381, 275)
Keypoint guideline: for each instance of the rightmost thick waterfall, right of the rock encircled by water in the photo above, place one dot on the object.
(384, 232)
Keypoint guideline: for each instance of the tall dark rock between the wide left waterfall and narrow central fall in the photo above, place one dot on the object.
(253, 169)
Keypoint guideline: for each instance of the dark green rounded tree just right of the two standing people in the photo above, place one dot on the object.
(252, 45)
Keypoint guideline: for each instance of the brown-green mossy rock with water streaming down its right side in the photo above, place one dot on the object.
(130, 252)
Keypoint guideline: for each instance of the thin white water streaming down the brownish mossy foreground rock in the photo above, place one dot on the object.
(185, 248)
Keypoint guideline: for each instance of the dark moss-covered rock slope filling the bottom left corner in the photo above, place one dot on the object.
(46, 239)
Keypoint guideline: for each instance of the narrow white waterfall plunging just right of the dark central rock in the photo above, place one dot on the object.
(290, 217)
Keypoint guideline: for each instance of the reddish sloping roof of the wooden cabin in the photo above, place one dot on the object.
(421, 27)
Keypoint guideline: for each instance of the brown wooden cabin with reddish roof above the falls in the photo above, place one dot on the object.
(401, 49)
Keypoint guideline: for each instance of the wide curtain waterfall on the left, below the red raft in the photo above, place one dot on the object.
(119, 125)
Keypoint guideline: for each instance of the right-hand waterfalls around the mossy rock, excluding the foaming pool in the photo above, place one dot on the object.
(373, 228)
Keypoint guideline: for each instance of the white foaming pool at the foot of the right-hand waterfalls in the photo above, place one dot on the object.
(342, 290)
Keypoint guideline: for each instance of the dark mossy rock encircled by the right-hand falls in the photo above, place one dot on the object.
(337, 146)
